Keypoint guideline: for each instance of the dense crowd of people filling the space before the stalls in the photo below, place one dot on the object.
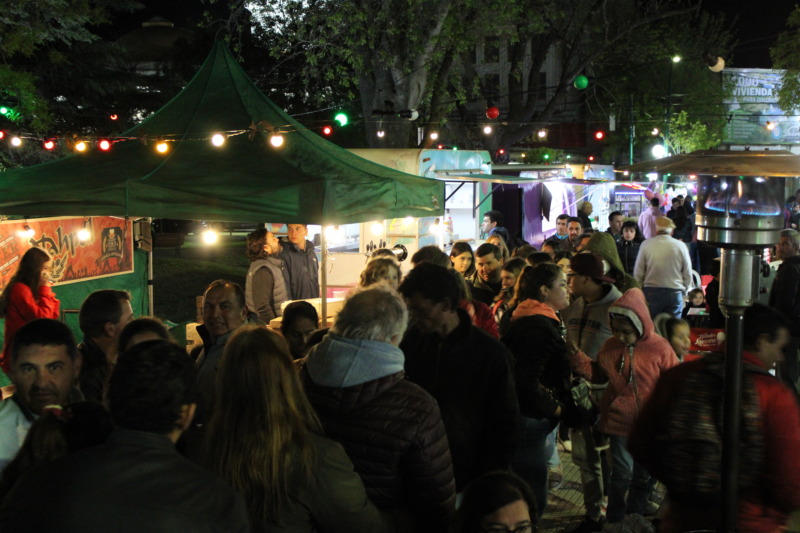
(432, 403)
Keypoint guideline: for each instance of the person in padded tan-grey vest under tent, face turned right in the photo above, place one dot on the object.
(265, 289)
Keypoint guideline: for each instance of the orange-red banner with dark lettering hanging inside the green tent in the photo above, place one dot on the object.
(82, 248)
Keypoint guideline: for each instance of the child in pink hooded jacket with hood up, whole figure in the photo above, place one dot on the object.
(631, 361)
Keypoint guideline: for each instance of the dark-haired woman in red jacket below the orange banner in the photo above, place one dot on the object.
(27, 296)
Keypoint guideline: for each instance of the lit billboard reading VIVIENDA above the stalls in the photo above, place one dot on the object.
(753, 113)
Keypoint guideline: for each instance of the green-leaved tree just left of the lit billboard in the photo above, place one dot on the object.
(636, 81)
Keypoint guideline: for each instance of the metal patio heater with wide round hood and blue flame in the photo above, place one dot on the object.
(739, 209)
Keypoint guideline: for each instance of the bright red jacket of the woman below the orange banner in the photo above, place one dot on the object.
(22, 308)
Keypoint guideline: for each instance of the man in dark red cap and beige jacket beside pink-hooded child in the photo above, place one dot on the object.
(593, 292)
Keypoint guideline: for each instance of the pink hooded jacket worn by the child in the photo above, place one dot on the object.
(628, 389)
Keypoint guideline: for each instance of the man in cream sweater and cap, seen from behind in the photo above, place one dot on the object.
(664, 270)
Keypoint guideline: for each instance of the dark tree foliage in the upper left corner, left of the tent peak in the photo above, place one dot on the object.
(48, 54)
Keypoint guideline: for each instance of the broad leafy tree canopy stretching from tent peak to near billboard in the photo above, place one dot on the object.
(419, 54)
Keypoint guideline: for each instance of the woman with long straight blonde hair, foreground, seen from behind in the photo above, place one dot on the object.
(266, 441)
